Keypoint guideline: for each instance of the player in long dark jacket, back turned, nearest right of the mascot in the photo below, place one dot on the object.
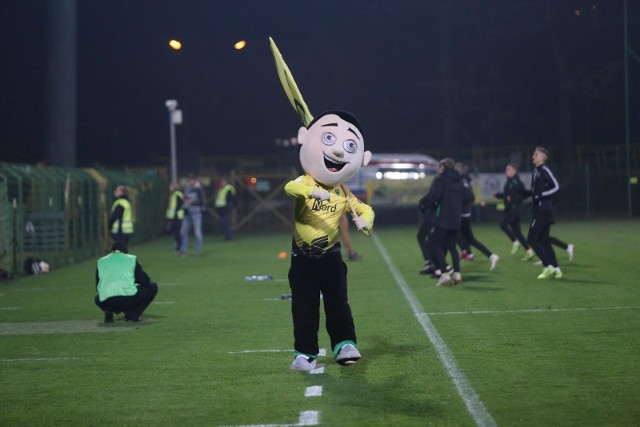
(446, 197)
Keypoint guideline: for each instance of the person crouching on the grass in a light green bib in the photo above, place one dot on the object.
(122, 285)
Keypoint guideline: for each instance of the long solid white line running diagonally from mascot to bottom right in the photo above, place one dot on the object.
(471, 399)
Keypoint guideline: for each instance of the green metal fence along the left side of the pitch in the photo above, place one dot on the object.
(60, 215)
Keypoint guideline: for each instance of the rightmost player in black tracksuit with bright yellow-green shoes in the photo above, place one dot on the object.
(544, 188)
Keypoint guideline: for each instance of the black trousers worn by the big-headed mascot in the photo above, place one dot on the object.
(307, 278)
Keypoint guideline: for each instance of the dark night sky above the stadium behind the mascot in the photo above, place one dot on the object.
(382, 60)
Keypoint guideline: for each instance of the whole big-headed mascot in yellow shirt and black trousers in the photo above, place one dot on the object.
(331, 152)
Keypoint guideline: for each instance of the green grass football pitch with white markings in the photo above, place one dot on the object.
(503, 348)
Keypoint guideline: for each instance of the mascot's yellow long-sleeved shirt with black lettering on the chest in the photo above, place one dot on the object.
(316, 222)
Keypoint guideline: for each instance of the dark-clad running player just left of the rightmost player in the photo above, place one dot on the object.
(513, 195)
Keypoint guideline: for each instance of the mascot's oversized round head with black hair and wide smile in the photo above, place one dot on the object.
(332, 148)
